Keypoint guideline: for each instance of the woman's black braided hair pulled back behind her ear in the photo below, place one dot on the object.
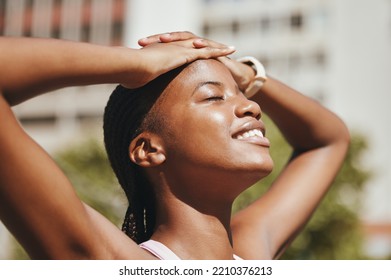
(128, 113)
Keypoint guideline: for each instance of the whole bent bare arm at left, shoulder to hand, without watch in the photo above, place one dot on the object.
(37, 202)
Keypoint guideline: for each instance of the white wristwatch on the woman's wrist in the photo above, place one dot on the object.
(259, 78)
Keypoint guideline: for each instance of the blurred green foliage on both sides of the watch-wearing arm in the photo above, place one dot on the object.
(334, 230)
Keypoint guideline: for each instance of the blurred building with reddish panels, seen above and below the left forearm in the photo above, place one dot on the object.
(54, 119)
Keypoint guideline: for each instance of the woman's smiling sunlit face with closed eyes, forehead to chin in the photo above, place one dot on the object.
(214, 131)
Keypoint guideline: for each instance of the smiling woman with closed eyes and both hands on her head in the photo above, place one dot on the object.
(190, 141)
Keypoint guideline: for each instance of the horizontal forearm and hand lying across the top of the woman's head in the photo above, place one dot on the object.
(34, 66)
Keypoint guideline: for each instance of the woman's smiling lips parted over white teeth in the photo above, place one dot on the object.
(252, 132)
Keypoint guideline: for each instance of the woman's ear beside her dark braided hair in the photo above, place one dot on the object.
(147, 150)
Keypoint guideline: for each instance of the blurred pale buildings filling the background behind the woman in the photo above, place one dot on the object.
(338, 52)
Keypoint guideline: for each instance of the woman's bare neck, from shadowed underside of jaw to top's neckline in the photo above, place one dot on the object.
(193, 216)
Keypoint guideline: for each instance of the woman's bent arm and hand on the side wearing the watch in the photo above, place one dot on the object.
(320, 141)
